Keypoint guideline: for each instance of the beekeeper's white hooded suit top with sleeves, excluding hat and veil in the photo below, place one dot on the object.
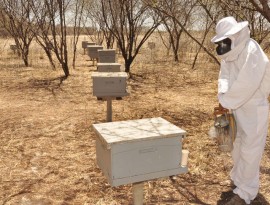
(245, 70)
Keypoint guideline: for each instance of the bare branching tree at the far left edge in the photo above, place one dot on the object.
(15, 16)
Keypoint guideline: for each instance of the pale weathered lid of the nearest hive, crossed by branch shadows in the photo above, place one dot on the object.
(136, 130)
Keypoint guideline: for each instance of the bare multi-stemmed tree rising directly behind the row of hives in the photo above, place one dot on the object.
(127, 20)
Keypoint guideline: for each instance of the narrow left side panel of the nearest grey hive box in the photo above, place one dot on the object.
(103, 157)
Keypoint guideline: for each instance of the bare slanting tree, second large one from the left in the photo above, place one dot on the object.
(52, 29)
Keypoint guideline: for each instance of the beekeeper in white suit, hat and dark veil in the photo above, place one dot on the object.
(243, 87)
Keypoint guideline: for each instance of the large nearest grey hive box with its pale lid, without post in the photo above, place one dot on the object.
(138, 150)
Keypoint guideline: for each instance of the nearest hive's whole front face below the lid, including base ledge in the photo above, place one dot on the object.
(145, 160)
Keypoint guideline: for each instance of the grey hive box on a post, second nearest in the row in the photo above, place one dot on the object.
(109, 84)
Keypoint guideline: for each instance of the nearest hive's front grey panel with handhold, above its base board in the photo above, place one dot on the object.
(146, 156)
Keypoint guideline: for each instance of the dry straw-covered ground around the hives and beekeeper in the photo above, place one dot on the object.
(47, 152)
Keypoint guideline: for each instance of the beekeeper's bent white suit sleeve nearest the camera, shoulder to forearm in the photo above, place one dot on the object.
(246, 84)
